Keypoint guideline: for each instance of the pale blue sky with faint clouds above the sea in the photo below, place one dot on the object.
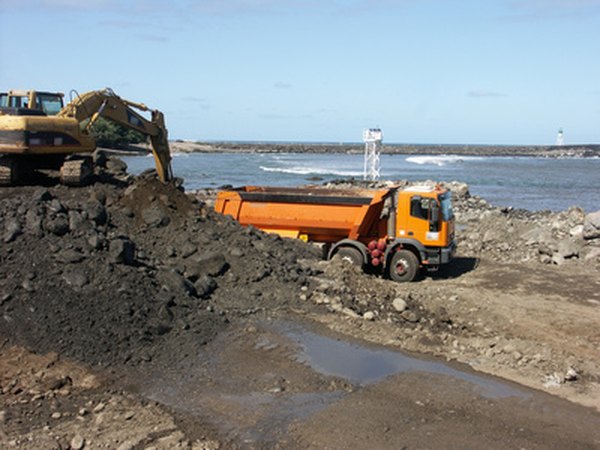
(502, 72)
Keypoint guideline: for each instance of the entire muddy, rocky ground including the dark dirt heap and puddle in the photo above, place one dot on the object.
(133, 316)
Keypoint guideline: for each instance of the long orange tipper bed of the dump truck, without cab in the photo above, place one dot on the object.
(322, 215)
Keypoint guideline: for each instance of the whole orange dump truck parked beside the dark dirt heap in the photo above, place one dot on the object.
(392, 231)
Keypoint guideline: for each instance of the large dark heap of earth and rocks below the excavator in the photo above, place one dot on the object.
(115, 273)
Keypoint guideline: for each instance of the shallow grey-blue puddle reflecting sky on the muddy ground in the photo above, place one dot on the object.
(364, 365)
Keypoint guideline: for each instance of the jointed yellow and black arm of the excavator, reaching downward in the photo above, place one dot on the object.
(105, 103)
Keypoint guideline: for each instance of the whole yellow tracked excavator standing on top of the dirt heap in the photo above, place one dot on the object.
(38, 133)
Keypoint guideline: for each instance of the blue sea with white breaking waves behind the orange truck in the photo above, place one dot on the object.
(520, 182)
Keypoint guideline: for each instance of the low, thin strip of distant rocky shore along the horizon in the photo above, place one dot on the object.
(548, 151)
